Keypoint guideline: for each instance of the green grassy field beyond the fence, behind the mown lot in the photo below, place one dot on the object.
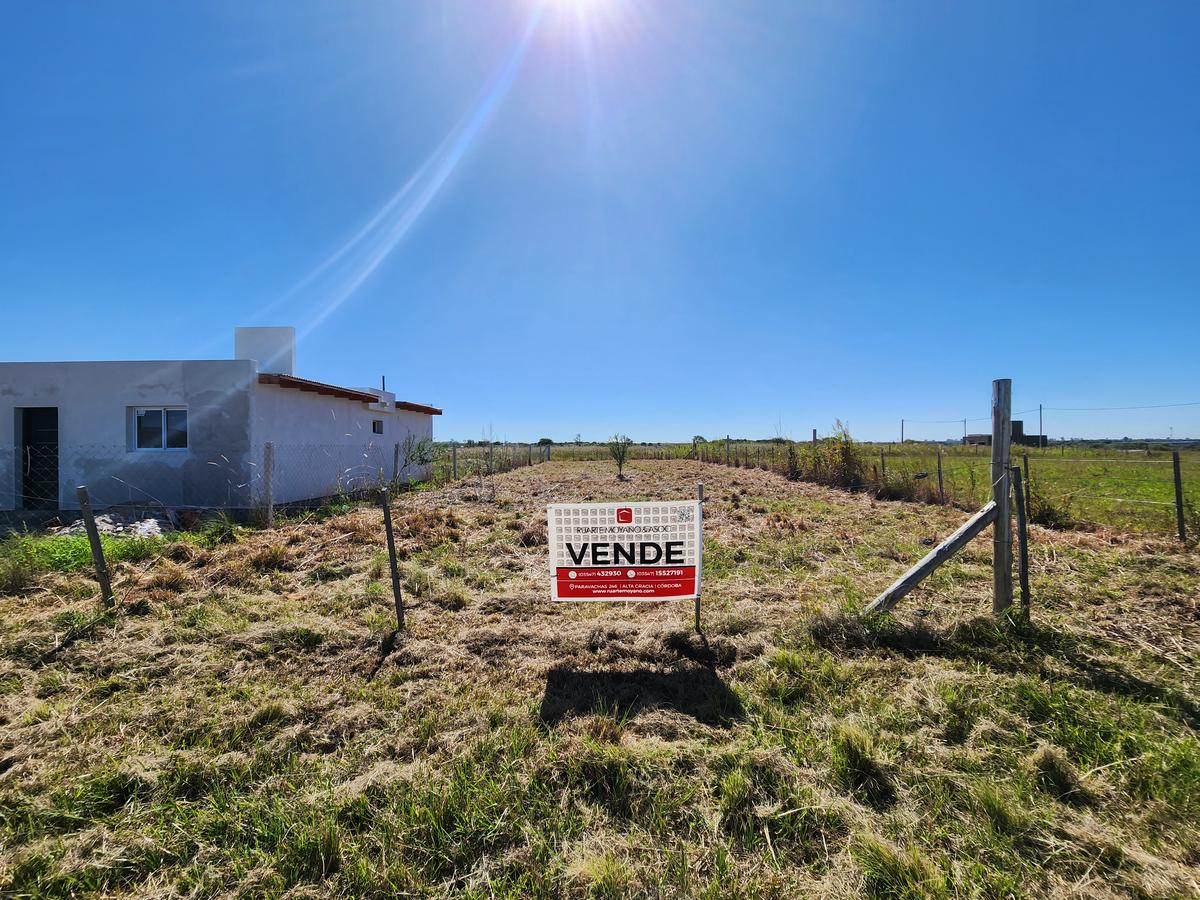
(1077, 487)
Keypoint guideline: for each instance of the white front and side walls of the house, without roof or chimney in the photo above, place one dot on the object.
(322, 445)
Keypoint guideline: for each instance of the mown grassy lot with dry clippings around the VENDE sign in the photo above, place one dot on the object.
(247, 724)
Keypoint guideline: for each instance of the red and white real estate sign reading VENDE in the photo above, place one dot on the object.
(626, 551)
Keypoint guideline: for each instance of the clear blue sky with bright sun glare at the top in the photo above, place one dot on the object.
(581, 217)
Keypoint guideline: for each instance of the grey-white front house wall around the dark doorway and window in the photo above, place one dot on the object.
(93, 400)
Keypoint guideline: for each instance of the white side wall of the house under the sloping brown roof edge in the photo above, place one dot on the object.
(325, 445)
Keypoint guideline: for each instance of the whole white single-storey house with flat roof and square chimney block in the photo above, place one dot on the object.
(196, 433)
